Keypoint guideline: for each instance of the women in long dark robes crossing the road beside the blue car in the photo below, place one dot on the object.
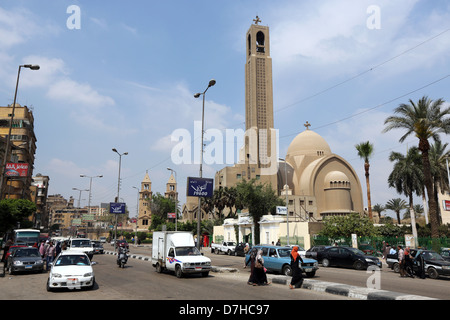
(258, 275)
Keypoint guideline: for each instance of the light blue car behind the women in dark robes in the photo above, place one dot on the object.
(277, 259)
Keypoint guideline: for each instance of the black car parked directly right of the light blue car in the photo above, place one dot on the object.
(348, 257)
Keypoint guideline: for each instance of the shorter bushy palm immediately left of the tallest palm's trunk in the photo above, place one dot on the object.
(407, 178)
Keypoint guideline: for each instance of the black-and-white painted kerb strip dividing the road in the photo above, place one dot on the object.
(354, 292)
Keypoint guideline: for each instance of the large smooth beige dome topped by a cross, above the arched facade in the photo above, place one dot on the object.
(308, 143)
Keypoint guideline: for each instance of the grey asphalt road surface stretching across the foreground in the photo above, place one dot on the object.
(227, 280)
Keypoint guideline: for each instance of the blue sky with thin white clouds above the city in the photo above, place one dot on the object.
(123, 74)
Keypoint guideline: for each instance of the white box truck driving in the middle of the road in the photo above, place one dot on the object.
(176, 251)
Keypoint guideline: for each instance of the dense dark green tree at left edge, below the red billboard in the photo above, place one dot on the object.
(13, 211)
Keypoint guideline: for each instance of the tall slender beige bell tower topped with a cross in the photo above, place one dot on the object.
(259, 97)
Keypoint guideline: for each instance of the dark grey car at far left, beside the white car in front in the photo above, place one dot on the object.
(24, 259)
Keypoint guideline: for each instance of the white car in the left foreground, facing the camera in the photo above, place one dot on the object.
(72, 270)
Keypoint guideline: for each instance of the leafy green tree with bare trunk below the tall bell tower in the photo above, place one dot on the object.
(259, 199)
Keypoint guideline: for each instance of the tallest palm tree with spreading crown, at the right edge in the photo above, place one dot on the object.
(425, 120)
